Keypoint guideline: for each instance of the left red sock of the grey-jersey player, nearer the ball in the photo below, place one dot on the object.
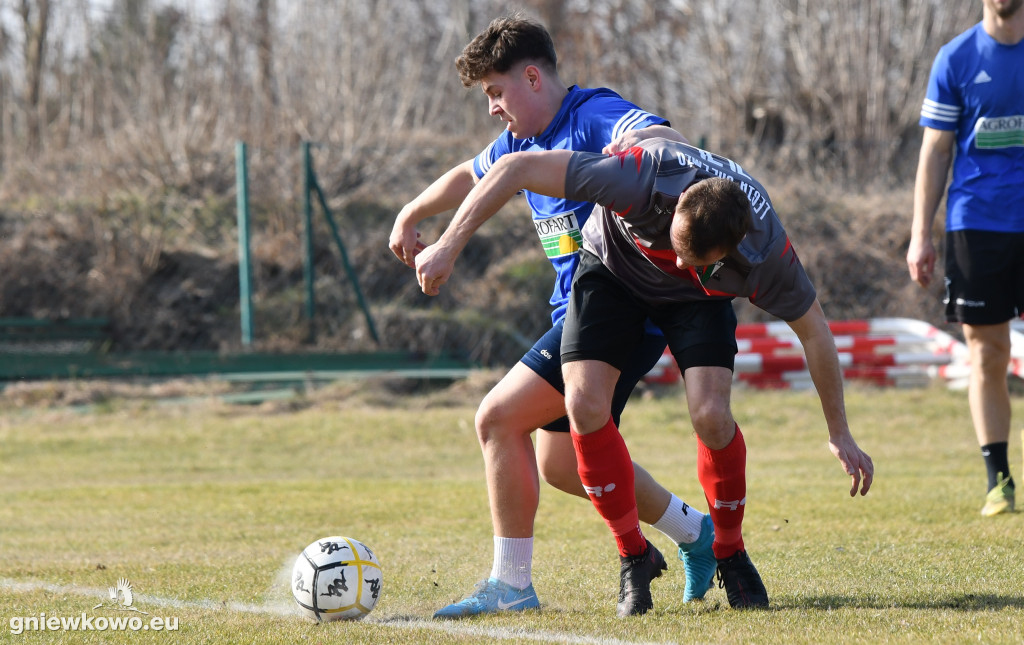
(607, 471)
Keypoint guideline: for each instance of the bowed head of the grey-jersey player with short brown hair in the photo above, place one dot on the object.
(712, 214)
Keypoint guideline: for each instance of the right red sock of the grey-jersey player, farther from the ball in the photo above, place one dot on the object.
(723, 476)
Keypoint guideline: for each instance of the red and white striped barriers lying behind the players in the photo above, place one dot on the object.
(890, 353)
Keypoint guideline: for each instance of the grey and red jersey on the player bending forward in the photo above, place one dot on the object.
(637, 192)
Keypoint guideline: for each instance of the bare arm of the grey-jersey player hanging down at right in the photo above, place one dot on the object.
(823, 363)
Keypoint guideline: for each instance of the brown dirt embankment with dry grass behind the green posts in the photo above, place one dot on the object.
(177, 295)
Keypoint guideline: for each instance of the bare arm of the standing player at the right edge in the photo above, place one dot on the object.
(933, 167)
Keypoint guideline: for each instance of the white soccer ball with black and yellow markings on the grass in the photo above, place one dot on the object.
(336, 579)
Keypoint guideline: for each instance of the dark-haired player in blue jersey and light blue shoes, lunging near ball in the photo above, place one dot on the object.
(515, 63)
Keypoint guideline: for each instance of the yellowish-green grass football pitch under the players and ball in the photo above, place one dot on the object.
(203, 506)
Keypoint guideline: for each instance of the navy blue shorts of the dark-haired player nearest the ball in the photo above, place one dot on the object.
(543, 359)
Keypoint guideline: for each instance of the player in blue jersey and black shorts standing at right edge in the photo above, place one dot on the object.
(975, 103)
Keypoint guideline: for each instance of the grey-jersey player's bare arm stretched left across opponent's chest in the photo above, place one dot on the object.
(541, 173)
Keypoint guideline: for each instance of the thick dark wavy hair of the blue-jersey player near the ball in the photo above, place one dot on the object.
(506, 42)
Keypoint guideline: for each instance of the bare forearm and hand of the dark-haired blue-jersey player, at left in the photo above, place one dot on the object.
(444, 195)
